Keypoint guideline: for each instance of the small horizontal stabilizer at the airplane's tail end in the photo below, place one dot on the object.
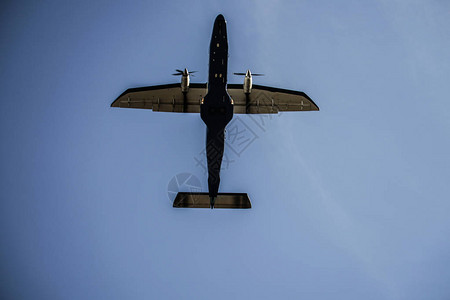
(201, 200)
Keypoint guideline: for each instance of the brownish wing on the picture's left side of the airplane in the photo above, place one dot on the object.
(168, 98)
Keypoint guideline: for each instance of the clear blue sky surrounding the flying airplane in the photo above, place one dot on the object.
(350, 202)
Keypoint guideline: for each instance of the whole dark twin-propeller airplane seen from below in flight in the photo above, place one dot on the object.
(216, 101)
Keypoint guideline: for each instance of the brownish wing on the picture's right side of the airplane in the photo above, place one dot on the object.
(268, 100)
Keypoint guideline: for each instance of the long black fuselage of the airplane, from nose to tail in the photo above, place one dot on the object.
(217, 108)
